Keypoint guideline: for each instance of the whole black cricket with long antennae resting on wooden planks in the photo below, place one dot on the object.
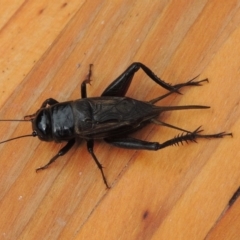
(111, 117)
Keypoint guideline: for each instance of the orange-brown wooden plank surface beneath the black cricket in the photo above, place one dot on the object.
(176, 193)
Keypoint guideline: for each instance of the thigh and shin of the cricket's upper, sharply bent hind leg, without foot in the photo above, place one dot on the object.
(119, 87)
